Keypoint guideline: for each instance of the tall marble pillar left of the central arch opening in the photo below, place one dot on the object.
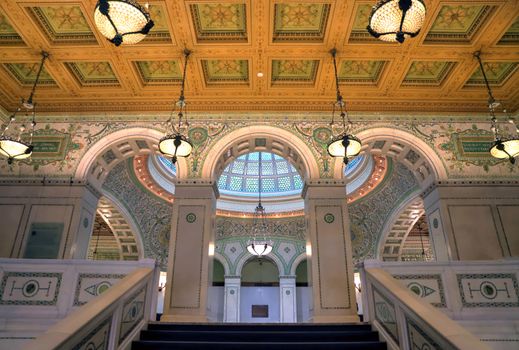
(189, 261)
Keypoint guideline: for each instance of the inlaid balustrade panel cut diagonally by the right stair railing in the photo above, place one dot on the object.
(428, 287)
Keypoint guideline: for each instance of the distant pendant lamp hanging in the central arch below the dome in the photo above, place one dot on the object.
(258, 245)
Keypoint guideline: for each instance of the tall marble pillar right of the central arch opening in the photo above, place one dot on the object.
(330, 254)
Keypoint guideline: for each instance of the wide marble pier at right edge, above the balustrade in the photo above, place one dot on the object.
(473, 220)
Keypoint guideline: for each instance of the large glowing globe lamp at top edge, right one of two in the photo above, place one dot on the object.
(396, 20)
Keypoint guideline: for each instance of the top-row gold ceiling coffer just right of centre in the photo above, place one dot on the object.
(300, 22)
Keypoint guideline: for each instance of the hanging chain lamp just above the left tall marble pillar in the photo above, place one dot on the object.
(175, 144)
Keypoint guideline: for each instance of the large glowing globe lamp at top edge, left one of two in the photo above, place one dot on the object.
(122, 21)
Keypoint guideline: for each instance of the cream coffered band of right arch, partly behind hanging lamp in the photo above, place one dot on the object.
(404, 147)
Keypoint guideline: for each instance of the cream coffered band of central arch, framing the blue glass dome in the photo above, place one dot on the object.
(260, 138)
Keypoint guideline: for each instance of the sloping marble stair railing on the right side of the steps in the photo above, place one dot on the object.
(405, 321)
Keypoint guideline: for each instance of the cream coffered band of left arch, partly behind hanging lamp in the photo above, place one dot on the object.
(113, 148)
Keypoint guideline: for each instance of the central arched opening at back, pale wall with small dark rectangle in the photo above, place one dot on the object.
(259, 291)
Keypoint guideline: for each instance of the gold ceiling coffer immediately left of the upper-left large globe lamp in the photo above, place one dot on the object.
(63, 24)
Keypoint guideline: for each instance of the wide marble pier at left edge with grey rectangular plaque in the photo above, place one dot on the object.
(46, 218)
